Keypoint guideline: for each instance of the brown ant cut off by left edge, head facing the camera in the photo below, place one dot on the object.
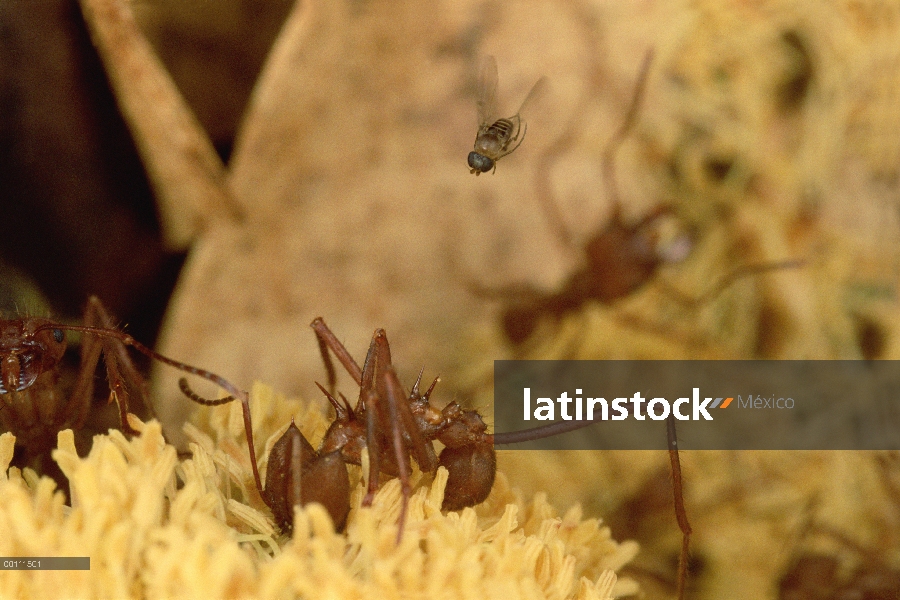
(35, 406)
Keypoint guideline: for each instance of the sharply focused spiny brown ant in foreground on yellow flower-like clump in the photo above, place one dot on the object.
(394, 427)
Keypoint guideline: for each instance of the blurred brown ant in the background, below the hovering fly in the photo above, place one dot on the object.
(618, 260)
